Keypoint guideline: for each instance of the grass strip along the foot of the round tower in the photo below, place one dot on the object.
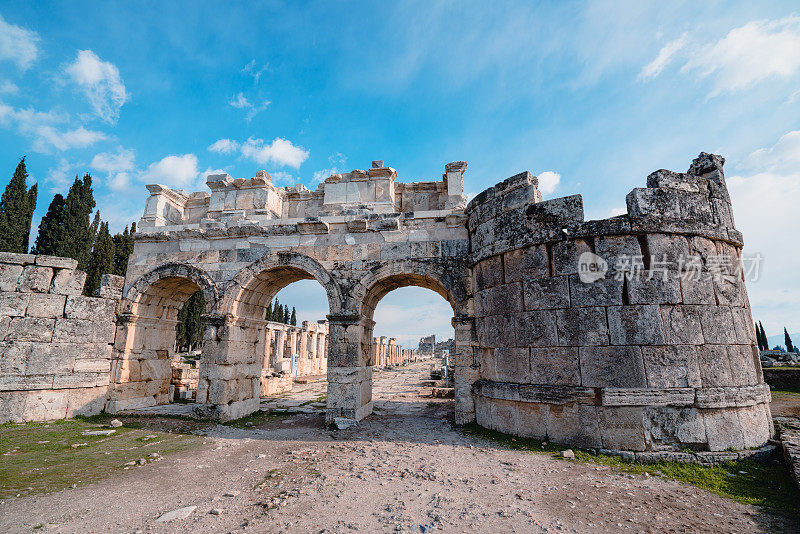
(761, 484)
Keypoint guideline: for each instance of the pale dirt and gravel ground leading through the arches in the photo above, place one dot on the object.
(403, 469)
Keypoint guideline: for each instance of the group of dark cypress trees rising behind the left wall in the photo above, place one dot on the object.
(66, 230)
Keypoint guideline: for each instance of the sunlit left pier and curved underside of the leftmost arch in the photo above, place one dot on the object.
(145, 338)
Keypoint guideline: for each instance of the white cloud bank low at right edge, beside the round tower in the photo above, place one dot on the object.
(765, 207)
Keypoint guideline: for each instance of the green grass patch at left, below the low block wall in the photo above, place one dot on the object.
(41, 458)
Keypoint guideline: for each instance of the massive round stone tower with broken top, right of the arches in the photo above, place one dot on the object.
(651, 347)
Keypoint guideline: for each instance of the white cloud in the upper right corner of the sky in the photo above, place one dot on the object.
(759, 50)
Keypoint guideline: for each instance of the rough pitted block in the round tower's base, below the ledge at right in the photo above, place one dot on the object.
(670, 428)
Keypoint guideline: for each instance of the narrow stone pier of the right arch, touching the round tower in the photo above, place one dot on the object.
(466, 369)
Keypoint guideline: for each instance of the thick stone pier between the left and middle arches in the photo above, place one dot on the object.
(230, 377)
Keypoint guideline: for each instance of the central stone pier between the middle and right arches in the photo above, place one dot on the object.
(349, 376)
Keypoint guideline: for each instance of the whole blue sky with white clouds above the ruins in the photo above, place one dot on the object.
(591, 96)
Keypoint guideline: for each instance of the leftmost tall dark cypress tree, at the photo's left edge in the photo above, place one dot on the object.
(17, 205)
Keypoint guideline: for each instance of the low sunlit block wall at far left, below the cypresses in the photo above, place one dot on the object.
(55, 344)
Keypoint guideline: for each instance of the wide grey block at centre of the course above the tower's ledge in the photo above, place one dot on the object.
(618, 366)
